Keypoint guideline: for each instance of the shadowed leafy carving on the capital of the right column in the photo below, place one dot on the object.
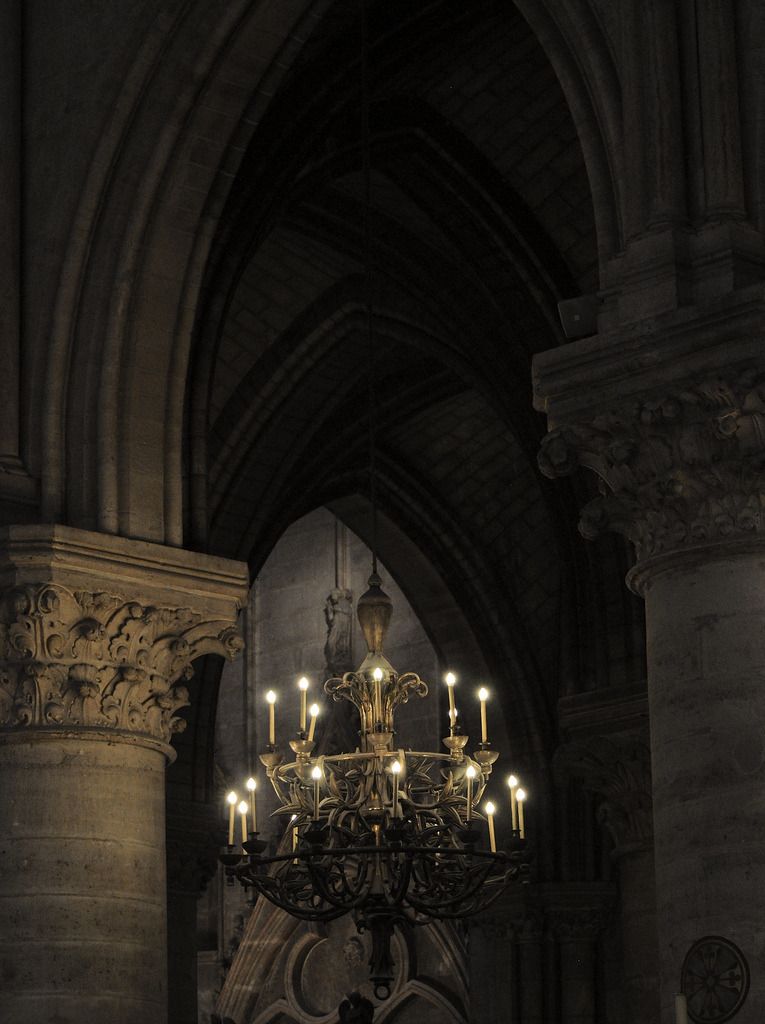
(676, 470)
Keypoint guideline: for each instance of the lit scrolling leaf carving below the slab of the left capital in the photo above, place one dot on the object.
(71, 659)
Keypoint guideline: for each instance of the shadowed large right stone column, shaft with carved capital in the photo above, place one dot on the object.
(681, 450)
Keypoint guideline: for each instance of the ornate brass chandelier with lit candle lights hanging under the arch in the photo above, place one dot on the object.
(393, 837)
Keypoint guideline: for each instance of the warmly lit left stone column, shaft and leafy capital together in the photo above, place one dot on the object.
(97, 637)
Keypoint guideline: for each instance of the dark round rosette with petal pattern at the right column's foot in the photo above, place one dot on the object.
(714, 980)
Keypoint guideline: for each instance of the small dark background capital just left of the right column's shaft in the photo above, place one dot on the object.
(618, 771)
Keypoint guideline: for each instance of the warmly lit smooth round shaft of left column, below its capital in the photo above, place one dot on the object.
(82, 878)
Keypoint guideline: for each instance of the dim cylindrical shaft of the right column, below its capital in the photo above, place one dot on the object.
(706, 648)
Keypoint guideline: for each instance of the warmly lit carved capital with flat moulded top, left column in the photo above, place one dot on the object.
(114, 658)
